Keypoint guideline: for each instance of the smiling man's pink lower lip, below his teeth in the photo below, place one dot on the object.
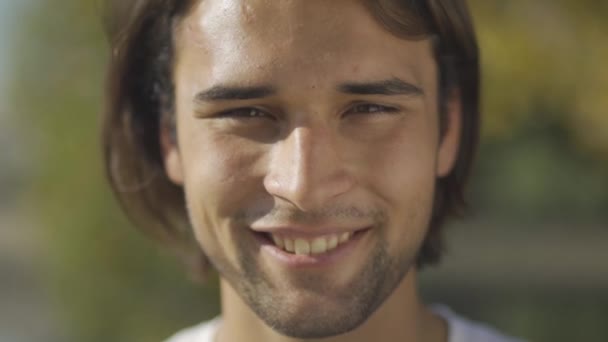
(312, 260)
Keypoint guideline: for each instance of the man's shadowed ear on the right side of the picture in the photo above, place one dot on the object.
(450, 140)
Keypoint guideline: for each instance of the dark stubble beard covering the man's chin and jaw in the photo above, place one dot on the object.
(350, 307)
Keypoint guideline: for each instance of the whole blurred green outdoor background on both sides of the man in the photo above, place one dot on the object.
(532, 259)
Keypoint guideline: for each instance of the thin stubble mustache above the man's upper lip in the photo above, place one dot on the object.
(288, 214)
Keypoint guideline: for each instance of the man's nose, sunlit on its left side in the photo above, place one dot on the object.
(308, 169)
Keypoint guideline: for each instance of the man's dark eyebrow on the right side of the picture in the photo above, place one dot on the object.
(393, 86)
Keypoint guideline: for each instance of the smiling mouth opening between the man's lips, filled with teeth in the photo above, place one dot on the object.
(310, 246)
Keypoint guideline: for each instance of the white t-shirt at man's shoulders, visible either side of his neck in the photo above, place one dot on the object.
(460, 329)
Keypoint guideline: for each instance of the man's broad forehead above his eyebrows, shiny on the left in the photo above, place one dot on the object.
(232, 40)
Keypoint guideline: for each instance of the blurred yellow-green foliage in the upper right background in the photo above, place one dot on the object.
(545, 55)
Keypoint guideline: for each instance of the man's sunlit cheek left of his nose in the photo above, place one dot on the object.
(220, 176)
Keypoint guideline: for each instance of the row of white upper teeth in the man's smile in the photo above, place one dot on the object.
(318, 245)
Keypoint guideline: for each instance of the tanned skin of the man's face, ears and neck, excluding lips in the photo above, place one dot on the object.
(311, 156)
